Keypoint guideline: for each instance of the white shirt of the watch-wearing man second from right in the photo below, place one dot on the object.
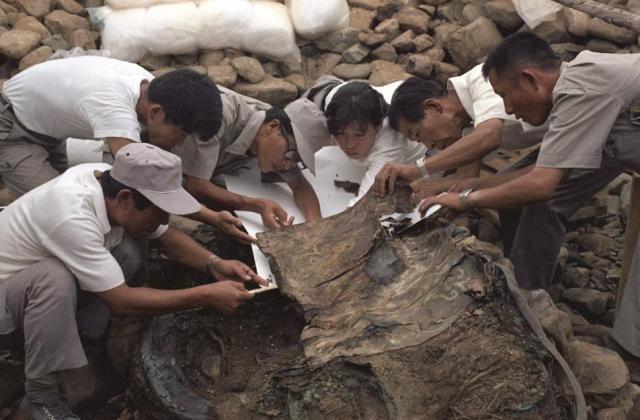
(482, 103)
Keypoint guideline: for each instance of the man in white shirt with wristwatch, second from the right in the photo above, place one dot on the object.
(467, 121)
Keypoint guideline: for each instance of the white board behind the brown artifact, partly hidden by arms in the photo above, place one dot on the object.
(331, 164)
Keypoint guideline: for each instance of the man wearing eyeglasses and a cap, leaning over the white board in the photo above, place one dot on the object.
(283, 141)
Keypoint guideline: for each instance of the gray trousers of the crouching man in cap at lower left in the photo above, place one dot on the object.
(41, 301)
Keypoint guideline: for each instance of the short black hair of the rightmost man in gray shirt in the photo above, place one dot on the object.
(519, 50)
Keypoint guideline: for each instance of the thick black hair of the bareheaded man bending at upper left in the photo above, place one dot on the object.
(190, 101)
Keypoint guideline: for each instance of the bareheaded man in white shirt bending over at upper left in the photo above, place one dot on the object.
(92, 97)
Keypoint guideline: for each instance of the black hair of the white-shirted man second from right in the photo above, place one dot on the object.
(408, 98)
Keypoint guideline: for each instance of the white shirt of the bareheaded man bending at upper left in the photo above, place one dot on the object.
(85, 97)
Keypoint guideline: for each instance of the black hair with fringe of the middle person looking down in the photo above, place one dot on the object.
(355, 101)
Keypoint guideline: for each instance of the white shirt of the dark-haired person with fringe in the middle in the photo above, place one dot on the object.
(390, 145)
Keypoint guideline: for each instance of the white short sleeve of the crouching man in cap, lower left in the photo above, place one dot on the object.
(88, 259)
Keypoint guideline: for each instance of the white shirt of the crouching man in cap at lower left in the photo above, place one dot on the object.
(65, 218)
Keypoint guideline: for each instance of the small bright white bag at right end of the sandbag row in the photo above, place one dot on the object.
(312, 18)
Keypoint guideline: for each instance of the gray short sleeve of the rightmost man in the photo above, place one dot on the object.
(579, 125)
